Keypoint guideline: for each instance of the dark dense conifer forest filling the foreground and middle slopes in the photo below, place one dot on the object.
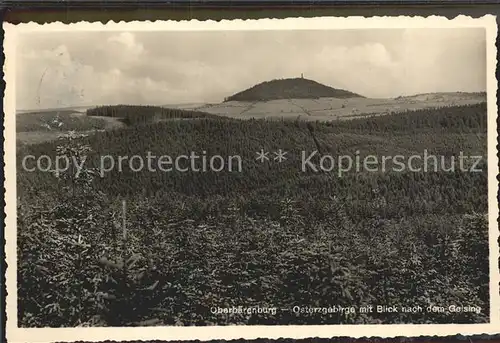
(270, 235)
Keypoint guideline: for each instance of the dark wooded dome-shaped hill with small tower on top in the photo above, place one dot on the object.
(295, 88)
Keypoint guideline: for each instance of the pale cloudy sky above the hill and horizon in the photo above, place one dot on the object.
(59, 69)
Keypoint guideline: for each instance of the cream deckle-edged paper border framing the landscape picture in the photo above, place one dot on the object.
(15, 334)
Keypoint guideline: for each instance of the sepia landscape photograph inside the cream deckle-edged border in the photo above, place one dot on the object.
(253, 177)
